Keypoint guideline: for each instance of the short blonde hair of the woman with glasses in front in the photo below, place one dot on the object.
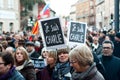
(82, 54)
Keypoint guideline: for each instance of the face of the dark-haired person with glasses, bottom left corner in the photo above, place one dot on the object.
(3, 68)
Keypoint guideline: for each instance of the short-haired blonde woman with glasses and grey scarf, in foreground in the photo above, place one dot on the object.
(81, 59)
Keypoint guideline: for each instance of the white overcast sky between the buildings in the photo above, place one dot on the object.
(61, 7)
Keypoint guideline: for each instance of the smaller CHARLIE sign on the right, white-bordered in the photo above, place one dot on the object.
(77, 32)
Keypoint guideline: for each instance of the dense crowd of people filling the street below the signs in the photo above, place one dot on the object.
(98, 59)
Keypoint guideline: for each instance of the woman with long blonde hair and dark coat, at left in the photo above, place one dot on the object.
(23, 64)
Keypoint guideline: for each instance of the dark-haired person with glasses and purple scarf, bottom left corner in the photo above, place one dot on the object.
(7, 69)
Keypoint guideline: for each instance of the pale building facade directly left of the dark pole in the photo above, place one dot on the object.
(105, 14)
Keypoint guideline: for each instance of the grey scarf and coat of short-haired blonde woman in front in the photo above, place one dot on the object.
(90, 74)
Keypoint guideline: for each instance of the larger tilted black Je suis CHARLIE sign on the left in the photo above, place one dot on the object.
(52, 32)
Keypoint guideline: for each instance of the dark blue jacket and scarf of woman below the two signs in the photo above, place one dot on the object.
(62, 71)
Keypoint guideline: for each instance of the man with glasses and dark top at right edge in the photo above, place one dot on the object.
(110, 62)
